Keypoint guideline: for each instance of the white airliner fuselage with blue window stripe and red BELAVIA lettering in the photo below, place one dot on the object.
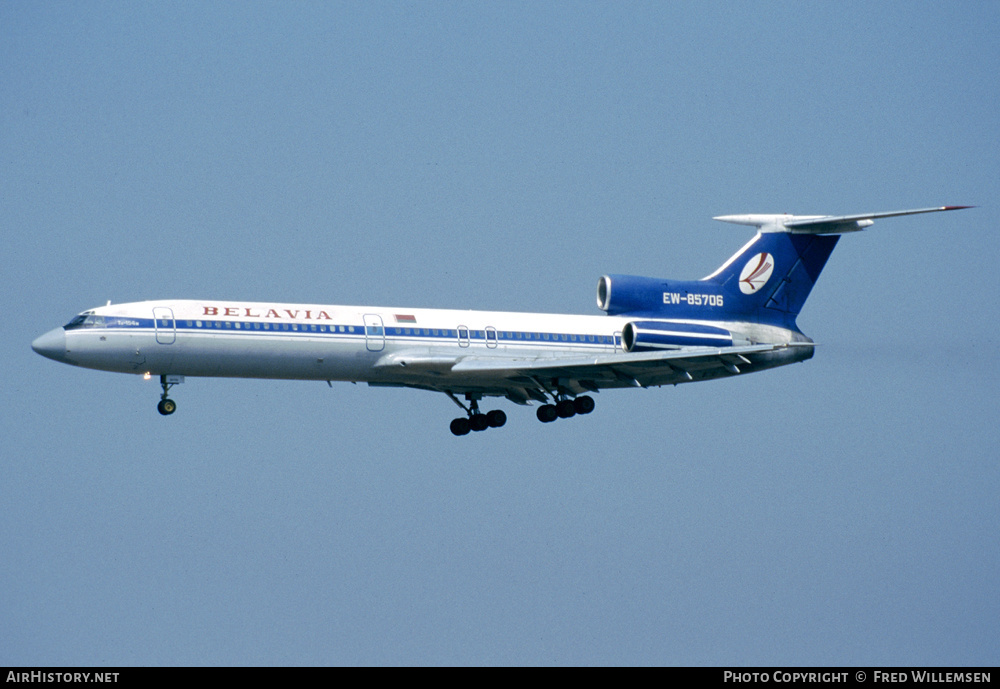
(379, 345)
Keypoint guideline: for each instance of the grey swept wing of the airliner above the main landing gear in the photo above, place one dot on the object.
(538, 378)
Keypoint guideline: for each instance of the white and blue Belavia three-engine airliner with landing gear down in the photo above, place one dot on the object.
(655, 332)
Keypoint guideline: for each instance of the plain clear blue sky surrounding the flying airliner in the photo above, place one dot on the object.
(500, 156)
